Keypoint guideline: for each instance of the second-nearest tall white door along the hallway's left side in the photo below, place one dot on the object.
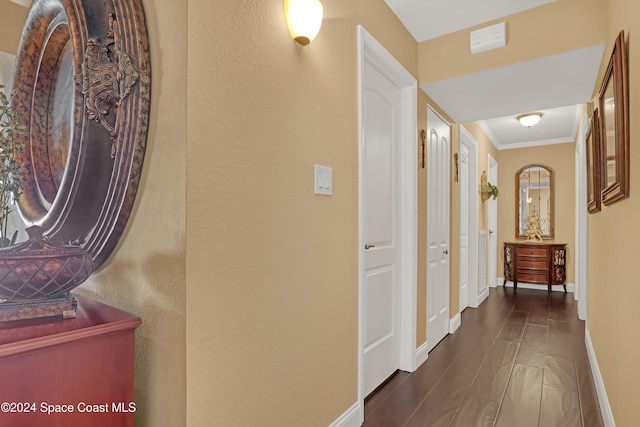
(438, 146)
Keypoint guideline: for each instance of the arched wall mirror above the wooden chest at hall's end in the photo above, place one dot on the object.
(535, 196)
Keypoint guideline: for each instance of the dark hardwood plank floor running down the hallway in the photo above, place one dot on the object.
(518, 360)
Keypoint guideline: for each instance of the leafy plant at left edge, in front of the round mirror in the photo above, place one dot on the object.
(13, 136)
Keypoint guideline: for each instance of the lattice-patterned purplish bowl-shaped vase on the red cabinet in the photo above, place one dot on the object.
(37, 270)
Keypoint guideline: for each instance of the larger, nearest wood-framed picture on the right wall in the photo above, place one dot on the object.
(614, 126)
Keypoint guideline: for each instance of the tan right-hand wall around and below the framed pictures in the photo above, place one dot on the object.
(613, 316)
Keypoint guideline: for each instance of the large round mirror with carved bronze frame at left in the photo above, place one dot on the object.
(83, 84)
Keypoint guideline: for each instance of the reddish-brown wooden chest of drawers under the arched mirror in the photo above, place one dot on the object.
(536, 263)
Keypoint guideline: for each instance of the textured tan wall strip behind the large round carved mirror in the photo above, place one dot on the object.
(146, 273)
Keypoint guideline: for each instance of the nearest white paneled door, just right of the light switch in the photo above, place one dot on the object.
(381, 286)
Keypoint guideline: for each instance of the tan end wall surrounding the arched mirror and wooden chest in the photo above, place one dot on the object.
(560, 158)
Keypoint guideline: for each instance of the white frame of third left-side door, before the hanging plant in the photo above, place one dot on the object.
(472, 205)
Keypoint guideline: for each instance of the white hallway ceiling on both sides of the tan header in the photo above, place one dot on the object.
(493, 98)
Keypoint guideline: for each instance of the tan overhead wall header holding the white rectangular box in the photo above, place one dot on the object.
(567, 24)
